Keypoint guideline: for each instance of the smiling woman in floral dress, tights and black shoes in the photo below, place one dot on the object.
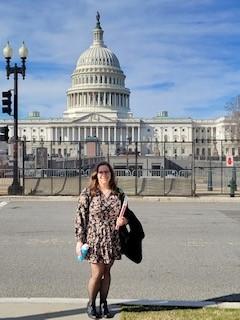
(97, 222)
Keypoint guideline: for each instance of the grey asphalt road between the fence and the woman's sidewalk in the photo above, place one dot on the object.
(191, 251)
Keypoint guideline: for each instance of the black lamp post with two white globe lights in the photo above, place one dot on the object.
(15, 188)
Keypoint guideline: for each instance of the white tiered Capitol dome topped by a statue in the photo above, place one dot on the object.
(98, 82)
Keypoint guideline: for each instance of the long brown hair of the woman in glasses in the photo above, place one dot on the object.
(94, 184)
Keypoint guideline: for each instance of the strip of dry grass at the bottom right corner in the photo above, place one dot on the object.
(158, 313)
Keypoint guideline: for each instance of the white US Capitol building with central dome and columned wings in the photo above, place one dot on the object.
(98, 107)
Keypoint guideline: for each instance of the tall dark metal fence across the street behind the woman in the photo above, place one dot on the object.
(142, 168)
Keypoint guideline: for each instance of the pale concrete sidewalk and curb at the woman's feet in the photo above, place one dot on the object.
(72, 309)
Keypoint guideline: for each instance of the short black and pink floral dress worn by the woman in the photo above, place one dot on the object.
(95, 224)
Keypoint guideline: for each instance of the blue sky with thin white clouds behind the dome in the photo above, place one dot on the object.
(178, 55)
